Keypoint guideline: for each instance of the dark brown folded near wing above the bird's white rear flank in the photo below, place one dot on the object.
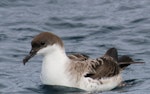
(103, 67)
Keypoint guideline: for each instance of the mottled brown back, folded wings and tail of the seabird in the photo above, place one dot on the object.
(102, 67)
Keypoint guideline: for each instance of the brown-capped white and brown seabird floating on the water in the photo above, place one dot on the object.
(77, 70)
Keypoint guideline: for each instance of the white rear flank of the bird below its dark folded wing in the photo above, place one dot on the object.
(105, 84)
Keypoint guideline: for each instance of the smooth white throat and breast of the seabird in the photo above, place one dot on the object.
(54, 66)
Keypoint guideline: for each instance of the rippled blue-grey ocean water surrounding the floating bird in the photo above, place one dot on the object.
(86, 26)
